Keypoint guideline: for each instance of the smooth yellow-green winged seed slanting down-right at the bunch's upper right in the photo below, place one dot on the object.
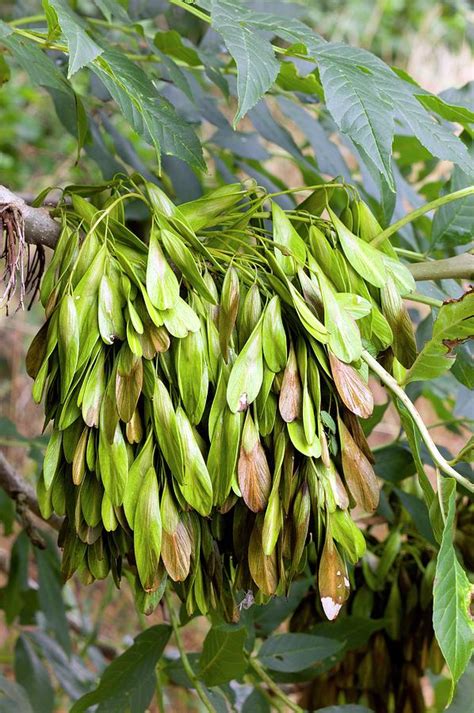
(366, 260)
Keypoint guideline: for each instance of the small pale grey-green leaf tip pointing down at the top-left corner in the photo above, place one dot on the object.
(82, 48)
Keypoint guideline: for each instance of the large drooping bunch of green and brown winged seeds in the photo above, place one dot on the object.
(205, 385)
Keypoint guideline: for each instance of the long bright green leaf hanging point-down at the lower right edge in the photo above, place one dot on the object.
(452, 592)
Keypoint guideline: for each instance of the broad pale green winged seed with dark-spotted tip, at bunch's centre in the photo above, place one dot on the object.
(246, 376)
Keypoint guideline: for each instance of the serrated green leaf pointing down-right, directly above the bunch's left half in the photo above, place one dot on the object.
(148, 113)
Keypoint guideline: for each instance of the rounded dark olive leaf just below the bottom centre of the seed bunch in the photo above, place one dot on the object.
(223, 657)
